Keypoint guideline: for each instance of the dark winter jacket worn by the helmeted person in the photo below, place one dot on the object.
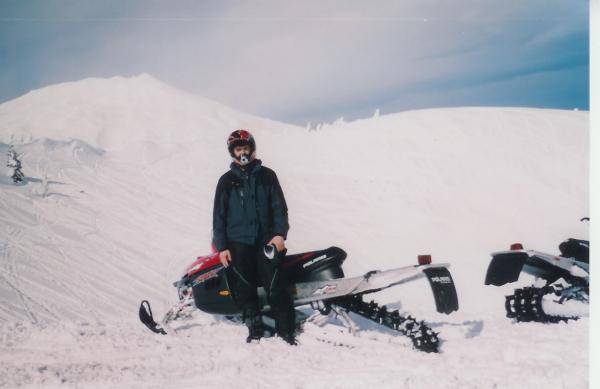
(249, 206)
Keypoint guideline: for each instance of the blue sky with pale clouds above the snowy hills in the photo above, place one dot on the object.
(310, 61)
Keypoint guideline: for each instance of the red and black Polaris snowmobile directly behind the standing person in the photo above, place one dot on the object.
(317, 279)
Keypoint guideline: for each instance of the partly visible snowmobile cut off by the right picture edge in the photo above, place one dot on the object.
(566, 278)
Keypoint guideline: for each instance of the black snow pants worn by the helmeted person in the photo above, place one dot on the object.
(249, 267)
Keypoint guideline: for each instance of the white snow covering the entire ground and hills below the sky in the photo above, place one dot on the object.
(118, 200)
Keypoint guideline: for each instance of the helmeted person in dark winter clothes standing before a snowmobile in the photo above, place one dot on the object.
(250, 212)
